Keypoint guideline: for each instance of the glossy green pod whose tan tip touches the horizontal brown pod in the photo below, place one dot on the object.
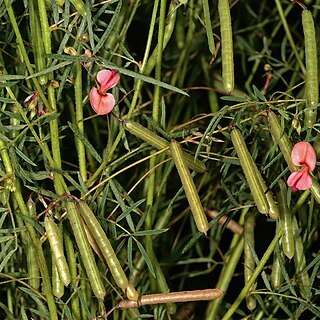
(106, 249)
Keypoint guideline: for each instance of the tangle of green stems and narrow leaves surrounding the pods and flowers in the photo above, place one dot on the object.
(177, 92)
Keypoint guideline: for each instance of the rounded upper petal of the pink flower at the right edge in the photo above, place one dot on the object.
(304, 154)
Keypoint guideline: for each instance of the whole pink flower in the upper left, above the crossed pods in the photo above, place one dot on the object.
(101, 101)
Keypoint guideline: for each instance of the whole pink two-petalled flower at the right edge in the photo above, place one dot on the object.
(303, 155)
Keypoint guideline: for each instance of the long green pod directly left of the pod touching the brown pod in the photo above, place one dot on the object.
(85, 251)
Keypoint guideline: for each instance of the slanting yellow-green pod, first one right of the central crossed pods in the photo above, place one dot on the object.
(250, 171)
